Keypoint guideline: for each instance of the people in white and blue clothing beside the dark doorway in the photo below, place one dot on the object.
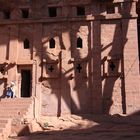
(11, 90)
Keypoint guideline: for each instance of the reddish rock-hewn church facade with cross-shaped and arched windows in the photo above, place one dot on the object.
(71, 56)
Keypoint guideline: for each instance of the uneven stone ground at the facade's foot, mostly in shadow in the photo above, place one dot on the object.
(87, 128)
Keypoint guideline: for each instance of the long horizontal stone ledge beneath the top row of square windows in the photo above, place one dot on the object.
(67, 19)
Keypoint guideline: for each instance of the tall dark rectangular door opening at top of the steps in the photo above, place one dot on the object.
(25, 83)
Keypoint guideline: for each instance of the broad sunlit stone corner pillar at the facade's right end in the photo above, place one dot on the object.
(131, 65)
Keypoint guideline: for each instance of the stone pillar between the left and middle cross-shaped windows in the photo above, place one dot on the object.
(65, 90)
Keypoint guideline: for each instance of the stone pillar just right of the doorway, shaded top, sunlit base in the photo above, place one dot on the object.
(37, 56)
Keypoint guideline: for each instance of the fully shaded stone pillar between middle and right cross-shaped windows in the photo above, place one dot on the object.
(96, 64)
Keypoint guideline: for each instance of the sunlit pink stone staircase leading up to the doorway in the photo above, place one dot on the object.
(14, 111)
